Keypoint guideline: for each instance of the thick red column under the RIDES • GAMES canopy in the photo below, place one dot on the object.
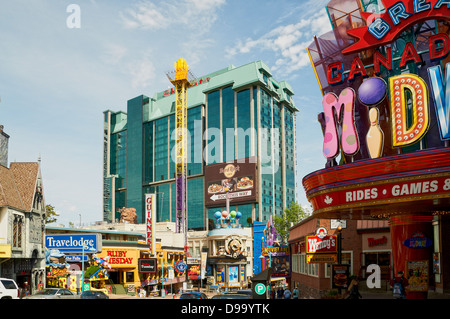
(403, 228)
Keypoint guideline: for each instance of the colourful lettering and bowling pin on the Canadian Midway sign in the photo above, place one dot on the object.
(406, 96)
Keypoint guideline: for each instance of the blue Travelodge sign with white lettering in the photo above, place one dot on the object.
(74, 243)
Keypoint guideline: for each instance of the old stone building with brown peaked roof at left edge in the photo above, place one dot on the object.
(22, 220)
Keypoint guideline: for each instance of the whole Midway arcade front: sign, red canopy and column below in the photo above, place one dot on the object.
(386, 150)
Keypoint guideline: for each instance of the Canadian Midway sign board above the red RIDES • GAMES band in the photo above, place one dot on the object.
(378, 97)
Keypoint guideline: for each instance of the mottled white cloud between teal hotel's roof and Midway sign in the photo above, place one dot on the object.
(288, 42)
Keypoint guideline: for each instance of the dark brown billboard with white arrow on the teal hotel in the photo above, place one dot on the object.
(236, 180)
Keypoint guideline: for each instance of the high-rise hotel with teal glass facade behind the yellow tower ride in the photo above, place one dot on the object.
(241, 142)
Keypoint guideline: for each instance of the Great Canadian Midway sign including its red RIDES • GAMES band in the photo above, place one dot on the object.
(386, 107)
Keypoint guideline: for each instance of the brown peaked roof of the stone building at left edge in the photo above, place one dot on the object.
(18, 185)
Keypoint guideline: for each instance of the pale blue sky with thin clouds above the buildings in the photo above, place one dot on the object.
(56, 81)
